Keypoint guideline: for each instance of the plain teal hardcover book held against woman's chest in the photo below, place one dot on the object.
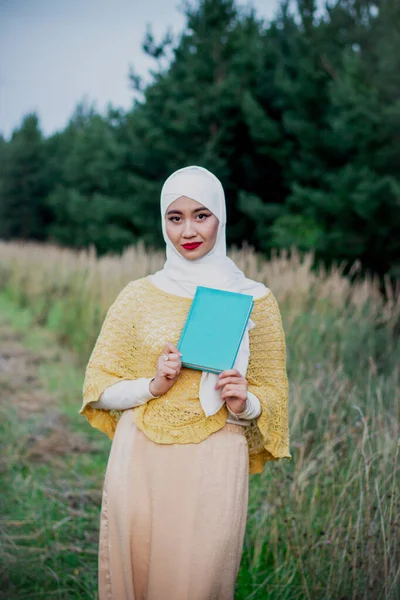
(214, 329)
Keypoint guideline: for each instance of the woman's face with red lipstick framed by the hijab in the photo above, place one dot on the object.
(191, 227)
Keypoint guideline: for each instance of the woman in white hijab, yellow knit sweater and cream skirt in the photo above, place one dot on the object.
(176, 488)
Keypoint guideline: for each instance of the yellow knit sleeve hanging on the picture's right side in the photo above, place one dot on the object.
(267, 379)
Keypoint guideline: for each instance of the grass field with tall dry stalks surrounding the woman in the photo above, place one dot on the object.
(324, 526)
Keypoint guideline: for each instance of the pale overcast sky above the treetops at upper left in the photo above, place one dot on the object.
(53, 53)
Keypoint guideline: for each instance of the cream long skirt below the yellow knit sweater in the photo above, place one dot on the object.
(173, 516)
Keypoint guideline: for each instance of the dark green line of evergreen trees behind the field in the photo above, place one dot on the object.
(299, 117)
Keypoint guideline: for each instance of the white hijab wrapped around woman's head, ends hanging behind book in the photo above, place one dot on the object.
(181, 277)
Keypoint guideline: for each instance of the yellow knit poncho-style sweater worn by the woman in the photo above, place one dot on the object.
(136, 327)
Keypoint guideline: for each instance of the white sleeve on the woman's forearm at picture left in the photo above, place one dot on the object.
(125, 394)
